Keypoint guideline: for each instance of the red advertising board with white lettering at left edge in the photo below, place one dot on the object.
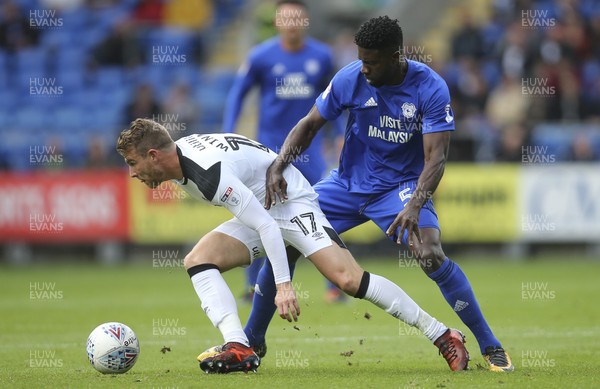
(70, 206)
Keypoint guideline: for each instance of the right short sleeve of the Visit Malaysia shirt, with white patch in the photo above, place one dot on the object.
(437, 113)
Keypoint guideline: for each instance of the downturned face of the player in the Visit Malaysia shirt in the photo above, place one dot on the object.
(378, 66)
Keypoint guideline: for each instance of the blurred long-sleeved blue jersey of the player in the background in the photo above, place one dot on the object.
(289, 83)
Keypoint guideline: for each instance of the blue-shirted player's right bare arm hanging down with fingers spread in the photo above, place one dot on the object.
(435, 146)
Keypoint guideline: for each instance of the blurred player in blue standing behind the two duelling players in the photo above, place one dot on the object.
(291, 70)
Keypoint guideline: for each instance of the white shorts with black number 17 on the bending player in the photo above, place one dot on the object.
(302, 223)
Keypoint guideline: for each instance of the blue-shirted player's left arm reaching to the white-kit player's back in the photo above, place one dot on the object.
(296, 142)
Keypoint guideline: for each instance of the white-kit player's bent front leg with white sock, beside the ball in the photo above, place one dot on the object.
(218, 252)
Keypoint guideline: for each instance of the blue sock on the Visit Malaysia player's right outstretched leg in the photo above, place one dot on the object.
(458, 293)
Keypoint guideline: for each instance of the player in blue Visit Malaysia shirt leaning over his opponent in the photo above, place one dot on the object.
(394, 155)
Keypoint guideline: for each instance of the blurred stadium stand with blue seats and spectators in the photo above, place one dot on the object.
(55, 79)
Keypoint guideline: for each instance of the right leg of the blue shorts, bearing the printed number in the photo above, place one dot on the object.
(384, 209)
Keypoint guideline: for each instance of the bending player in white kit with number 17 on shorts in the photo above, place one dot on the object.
(229, 170)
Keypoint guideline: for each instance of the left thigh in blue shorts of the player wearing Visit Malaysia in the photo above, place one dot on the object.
(342, 208)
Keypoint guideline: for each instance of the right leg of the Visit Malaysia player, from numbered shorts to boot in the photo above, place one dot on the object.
(451, 280)
